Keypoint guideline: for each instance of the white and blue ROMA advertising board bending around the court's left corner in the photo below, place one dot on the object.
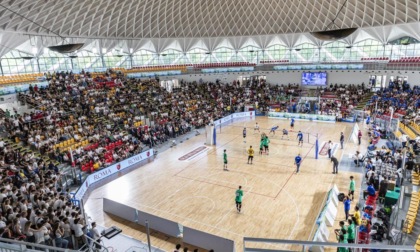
(110, 170)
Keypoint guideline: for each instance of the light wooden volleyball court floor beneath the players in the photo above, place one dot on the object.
(197, 193)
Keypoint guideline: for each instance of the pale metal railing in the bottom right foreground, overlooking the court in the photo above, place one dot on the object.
(295, 245)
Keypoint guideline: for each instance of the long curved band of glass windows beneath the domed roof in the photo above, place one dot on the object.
(18, 62)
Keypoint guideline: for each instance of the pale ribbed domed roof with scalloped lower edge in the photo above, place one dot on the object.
(157, 25)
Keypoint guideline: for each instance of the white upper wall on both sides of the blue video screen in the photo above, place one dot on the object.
(294, 76)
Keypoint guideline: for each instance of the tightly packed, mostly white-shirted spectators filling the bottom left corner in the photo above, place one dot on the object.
(35, 209)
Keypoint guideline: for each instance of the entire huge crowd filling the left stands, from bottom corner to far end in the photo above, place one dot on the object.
(99, 121)
